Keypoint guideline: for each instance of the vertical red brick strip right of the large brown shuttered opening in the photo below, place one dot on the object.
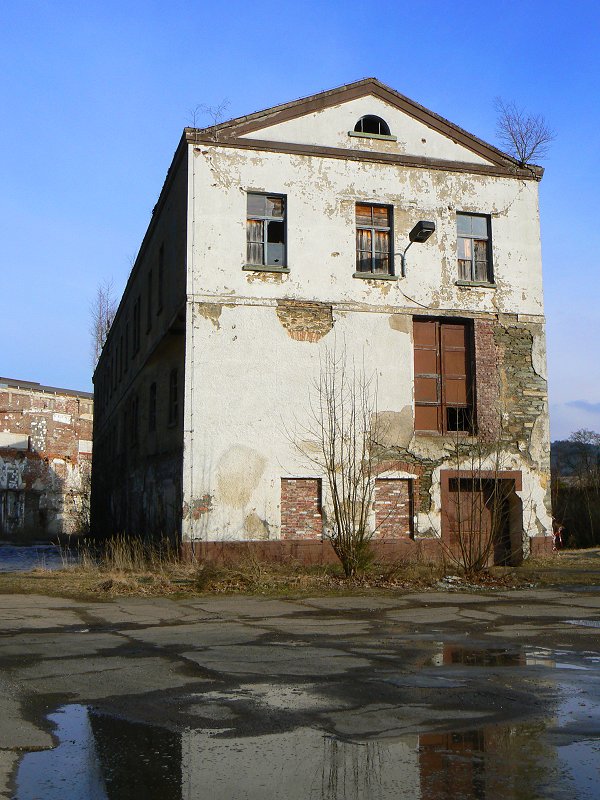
(487, 387)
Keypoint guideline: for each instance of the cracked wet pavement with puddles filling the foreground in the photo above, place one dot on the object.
(435, 695)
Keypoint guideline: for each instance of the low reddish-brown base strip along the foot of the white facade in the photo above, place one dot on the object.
(311, 552)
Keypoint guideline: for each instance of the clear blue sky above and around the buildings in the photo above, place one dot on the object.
(94, 96)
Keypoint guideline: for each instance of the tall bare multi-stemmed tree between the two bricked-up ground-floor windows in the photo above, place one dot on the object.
(339, 438)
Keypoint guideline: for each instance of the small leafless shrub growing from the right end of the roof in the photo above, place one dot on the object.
(524, 136)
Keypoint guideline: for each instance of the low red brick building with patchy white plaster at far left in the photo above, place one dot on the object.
(45, 459)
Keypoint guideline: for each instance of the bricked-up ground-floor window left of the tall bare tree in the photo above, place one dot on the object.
(301, 511)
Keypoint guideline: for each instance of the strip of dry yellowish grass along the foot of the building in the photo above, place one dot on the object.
(130, 567)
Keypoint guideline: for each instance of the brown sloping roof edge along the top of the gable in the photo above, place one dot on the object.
(250, 123)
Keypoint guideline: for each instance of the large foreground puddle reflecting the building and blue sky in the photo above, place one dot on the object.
(105, 758)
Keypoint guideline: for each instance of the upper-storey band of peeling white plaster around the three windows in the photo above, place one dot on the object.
(321, 196)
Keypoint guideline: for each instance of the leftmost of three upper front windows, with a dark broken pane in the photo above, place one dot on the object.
(265, 231)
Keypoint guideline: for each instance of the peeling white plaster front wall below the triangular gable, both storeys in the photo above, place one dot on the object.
(254, 340)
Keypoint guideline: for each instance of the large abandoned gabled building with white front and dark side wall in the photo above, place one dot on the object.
(353, 217)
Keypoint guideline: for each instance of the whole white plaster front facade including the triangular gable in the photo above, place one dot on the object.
(247, 380)
